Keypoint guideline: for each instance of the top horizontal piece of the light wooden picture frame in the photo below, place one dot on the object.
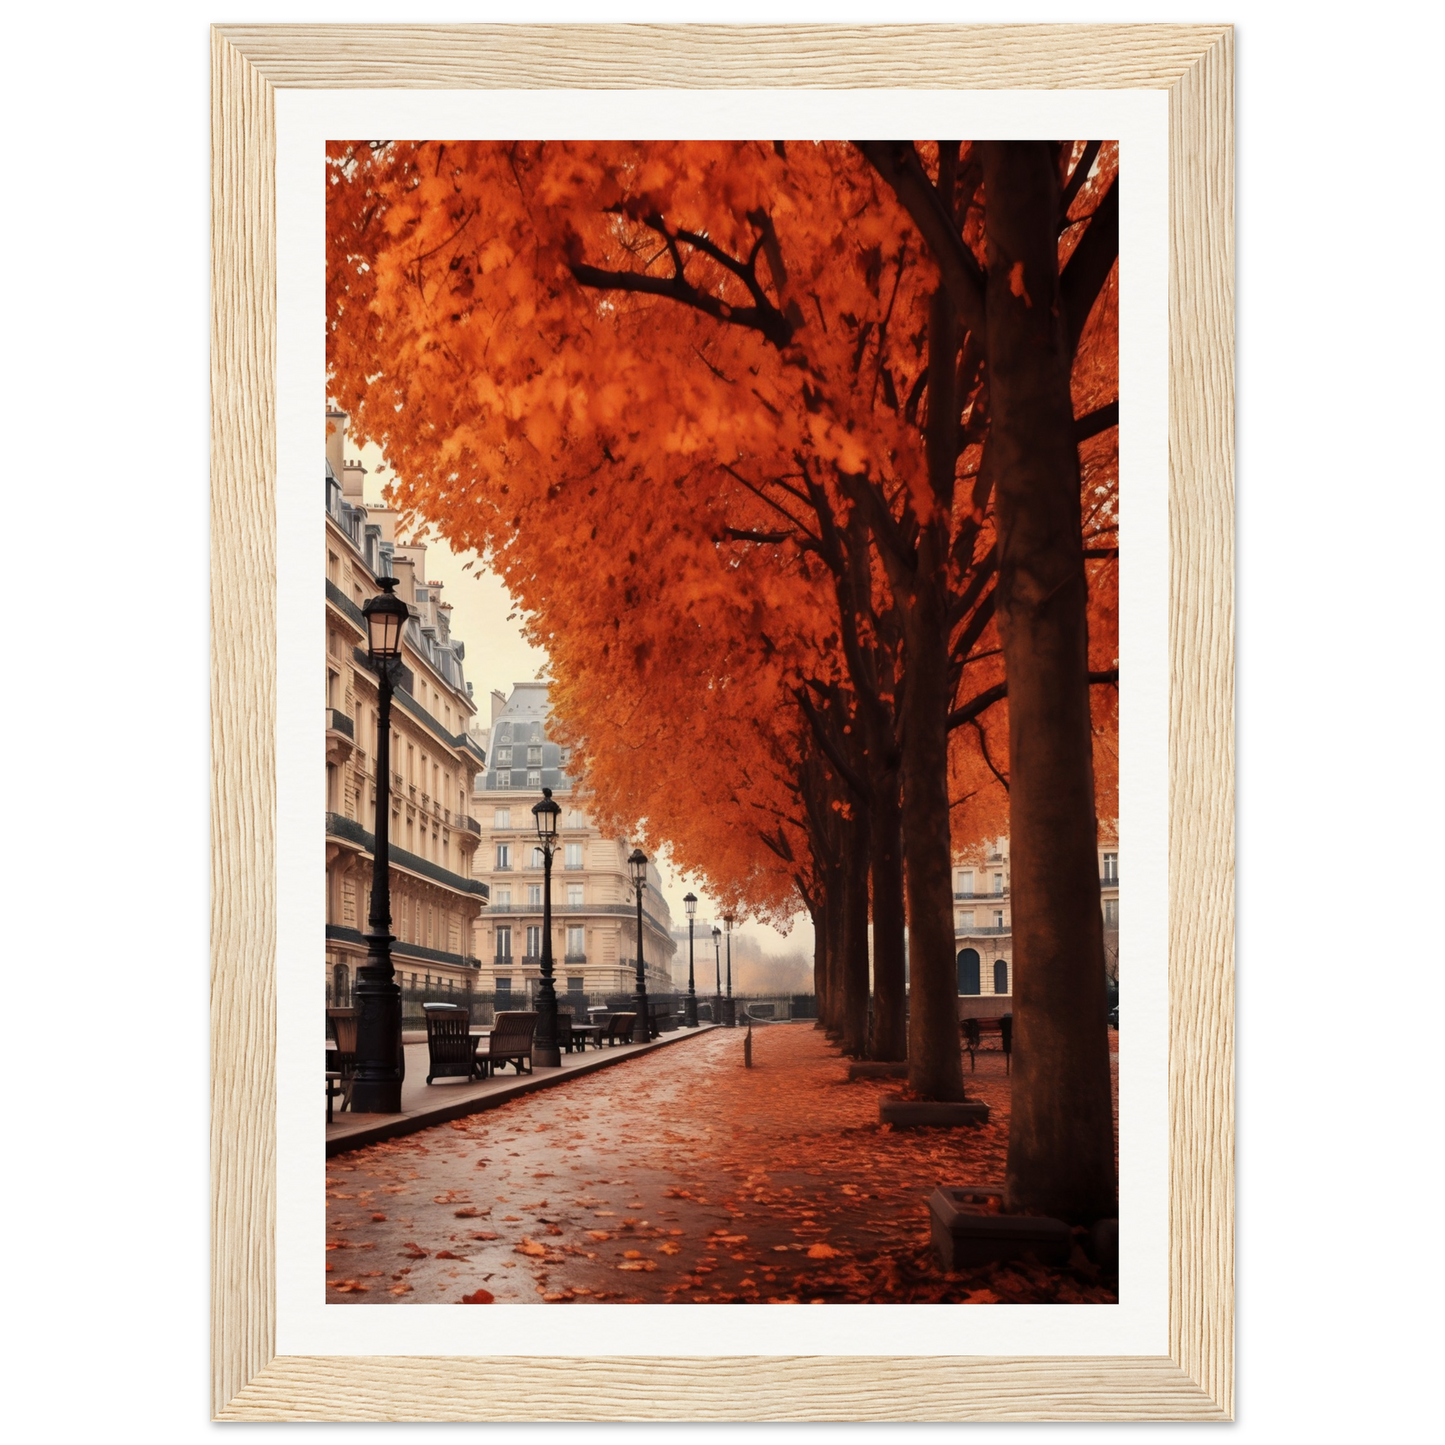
(616, 57)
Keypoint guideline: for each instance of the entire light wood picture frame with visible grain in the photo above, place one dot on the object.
(1199, 1382)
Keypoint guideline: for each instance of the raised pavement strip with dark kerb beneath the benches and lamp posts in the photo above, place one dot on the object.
(427, 1105)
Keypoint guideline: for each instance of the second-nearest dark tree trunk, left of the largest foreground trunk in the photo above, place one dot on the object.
(934, 1056)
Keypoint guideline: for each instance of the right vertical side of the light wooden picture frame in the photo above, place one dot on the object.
(1202, 726)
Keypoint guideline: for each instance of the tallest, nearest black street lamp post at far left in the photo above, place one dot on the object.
(378, 1084)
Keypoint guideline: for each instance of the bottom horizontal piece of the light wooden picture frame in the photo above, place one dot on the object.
(765, 1388)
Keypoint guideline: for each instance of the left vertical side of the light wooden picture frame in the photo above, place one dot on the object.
(243, 722)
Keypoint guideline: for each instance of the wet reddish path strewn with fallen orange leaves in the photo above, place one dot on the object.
(680, 1177)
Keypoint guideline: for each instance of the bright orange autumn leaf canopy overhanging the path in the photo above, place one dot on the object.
(632, 376)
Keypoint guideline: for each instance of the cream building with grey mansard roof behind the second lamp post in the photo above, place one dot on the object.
(595, 914)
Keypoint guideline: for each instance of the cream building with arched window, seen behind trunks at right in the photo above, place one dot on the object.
(983, 918)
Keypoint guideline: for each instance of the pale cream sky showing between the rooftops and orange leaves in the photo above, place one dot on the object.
(498, 657)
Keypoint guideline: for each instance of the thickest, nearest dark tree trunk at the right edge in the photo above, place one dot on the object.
(1061, 1145)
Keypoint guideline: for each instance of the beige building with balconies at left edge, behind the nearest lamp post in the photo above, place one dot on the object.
(436, 900)
